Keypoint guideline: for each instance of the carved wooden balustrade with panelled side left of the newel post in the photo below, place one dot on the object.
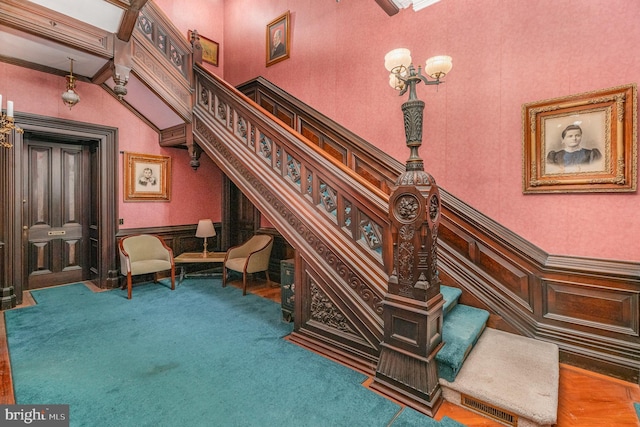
(336, 221)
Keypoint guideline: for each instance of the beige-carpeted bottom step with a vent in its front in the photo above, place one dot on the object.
(510, 377)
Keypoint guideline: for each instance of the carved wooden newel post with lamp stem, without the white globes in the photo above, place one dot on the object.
(413, 304)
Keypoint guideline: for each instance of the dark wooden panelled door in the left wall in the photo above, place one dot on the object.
(56, 211)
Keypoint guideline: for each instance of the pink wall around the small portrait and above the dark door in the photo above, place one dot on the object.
(195, 194)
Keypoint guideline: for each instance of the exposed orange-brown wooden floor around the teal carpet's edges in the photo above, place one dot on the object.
(586, 399)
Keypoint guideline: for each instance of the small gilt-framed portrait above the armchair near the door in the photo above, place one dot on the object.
(147, 177)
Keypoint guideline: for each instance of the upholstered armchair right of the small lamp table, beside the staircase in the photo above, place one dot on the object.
(248, 258)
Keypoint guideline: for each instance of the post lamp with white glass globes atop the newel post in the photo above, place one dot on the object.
(404, 77)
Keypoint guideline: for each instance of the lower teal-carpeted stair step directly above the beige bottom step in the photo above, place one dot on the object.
(460, 331)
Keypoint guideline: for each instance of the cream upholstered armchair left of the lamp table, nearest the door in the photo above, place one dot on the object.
(144, 254)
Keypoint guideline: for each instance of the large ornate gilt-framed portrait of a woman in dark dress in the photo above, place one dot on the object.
(581, 143)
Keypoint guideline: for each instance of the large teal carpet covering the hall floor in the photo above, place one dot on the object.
(201, 355)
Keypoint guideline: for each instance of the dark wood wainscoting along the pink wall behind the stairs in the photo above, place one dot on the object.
(588, 307)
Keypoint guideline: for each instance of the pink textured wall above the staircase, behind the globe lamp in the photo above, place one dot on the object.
(505, 54)
